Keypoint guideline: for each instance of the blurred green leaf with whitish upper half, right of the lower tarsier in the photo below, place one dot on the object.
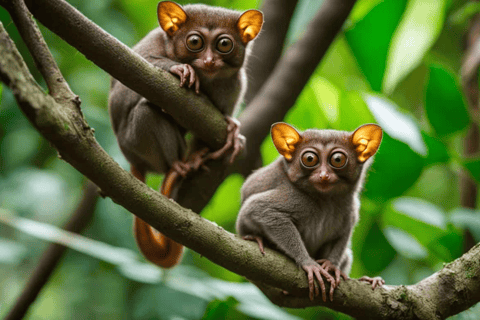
(423, 220)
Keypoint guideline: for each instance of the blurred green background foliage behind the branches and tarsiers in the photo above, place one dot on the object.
(396, 63)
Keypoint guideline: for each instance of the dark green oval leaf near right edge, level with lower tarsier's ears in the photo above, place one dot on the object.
(444, 103)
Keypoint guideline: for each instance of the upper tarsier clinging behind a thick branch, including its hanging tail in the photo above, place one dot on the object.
(206, 48)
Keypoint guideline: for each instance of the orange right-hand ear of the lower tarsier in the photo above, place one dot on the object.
(366, 140)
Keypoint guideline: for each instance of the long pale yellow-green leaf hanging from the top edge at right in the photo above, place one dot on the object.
(420, 27)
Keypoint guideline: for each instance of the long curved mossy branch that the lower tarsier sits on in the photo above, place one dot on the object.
(454, 288)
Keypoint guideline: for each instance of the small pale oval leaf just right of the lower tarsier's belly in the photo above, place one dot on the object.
(405, 244)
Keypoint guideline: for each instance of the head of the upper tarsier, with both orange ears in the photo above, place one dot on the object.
(211, 39)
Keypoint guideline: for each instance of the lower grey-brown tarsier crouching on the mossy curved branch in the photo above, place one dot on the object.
(306, 203)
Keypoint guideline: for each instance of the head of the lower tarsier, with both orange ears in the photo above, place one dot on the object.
(326, 161)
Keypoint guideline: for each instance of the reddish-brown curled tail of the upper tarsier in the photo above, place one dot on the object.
(156, 247)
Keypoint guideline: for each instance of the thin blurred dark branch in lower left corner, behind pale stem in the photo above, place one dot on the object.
(54, 253)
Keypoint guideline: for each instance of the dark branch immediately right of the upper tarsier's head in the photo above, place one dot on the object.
(267, 49)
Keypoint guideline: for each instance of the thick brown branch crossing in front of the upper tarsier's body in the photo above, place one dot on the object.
(158, 86)
